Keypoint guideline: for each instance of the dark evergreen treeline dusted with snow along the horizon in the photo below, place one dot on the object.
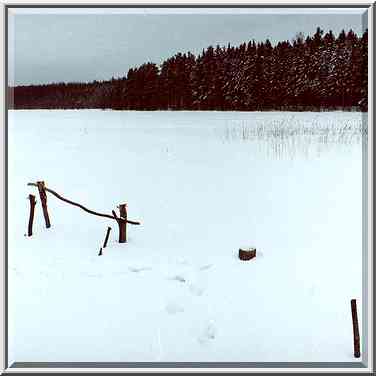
(318, 72)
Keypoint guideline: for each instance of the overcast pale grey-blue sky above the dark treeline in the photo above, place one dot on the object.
(84, 45)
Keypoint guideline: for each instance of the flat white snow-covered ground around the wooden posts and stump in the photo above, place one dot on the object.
(202, 184)
